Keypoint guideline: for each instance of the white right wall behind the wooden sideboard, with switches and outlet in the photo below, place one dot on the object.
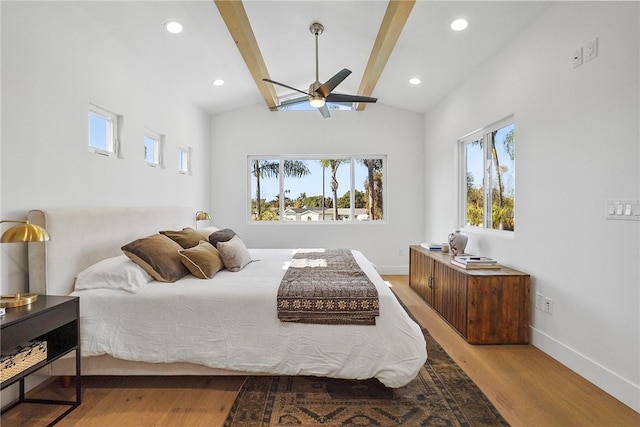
(577, 144)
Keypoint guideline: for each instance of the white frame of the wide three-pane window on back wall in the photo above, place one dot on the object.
(281, 183)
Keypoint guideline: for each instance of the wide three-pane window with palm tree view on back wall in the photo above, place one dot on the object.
(327, 189)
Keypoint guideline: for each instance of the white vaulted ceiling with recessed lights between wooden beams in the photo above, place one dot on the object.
(204, 51)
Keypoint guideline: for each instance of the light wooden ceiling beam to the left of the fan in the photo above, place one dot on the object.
(235, 17)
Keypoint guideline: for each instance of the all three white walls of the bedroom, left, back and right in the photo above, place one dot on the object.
(577, 145)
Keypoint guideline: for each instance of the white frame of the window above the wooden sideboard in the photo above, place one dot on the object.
(483, 134)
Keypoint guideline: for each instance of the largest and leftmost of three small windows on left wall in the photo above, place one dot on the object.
(104, 137)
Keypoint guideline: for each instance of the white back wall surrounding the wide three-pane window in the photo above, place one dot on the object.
(377, 130)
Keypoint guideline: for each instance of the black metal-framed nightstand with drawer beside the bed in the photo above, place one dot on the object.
(54, 319)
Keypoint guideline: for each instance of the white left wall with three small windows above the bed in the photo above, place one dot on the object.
(55, 60)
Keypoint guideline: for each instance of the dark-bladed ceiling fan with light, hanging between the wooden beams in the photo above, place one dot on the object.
(321, 93)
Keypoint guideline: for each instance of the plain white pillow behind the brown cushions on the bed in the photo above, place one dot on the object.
(113, 273)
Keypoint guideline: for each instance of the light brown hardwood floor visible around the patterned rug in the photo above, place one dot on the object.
(528, 388)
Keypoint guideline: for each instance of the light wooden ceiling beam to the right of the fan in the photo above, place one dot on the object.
(395, 17)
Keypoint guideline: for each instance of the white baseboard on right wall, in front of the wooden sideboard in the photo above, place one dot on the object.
(612, 383)
